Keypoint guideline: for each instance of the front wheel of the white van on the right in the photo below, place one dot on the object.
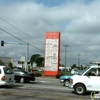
(80, 89)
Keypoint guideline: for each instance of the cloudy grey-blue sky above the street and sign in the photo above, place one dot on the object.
(27, 21)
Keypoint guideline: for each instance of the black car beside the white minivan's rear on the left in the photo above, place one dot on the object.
(23, 76)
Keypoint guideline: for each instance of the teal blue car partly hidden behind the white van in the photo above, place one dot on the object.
(64, 80)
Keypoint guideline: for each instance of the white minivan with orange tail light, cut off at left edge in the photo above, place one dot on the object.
(6, 76)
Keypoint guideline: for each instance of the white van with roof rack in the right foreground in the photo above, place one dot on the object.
(86, 81)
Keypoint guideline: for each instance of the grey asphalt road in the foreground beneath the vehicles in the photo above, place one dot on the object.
(44, 88)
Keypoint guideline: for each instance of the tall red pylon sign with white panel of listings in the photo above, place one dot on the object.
(52, 53)
